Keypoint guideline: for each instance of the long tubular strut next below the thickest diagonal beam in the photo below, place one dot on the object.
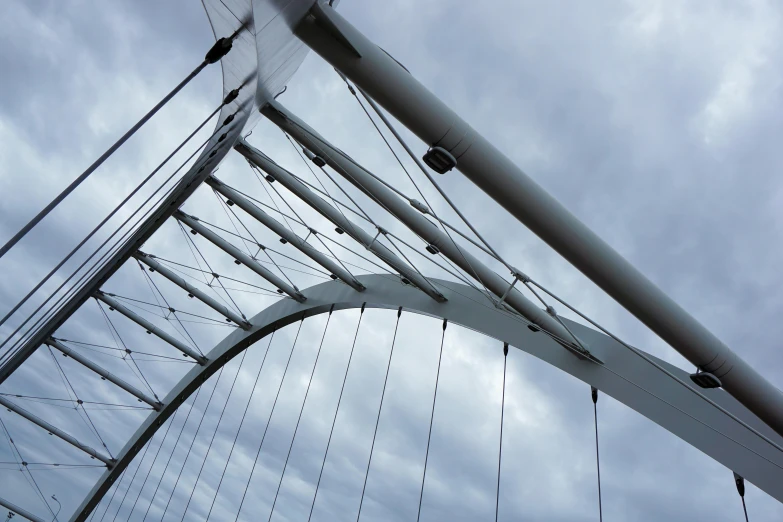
(413, 219)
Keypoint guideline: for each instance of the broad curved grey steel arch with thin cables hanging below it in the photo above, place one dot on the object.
(622, 375)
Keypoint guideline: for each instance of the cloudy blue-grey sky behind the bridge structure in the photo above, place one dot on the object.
(656, 123)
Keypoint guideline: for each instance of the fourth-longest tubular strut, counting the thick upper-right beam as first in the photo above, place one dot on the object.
(276, 227)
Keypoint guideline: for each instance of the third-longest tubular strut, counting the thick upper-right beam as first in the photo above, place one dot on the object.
(257, 158)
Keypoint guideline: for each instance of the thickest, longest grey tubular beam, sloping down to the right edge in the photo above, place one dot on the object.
(394, 88)
